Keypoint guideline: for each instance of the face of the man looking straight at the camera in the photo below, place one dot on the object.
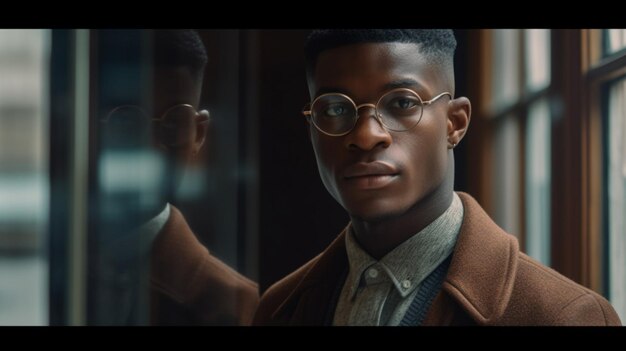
(374, 173)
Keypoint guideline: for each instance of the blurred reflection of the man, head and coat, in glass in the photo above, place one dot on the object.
(187, 285)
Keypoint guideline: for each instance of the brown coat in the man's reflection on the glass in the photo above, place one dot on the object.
(191, 287)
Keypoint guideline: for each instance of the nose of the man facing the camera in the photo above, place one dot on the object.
(368, 133)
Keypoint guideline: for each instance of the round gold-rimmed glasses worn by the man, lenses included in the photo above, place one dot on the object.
(398, 110)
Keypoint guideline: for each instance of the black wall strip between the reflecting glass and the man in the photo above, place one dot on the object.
(298, 218)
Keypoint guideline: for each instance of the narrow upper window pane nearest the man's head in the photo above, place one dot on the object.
(506, 64)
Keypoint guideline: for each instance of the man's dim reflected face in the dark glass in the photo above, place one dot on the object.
(138, 148)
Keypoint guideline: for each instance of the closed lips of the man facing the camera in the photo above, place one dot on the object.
(370, 175)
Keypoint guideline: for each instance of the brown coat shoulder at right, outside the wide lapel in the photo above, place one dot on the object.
(542, 296)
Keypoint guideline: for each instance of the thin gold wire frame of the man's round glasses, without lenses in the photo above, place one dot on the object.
(309, 115)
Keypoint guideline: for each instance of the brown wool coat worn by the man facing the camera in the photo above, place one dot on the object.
(489, 282)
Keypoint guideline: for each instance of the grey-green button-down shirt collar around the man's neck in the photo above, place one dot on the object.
(409, 264)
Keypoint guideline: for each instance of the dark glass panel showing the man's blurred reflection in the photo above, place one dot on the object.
(158, 195)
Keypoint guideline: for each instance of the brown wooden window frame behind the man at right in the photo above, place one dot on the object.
(579, 71)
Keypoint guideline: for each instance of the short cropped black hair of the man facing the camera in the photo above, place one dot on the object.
(438, 45)
